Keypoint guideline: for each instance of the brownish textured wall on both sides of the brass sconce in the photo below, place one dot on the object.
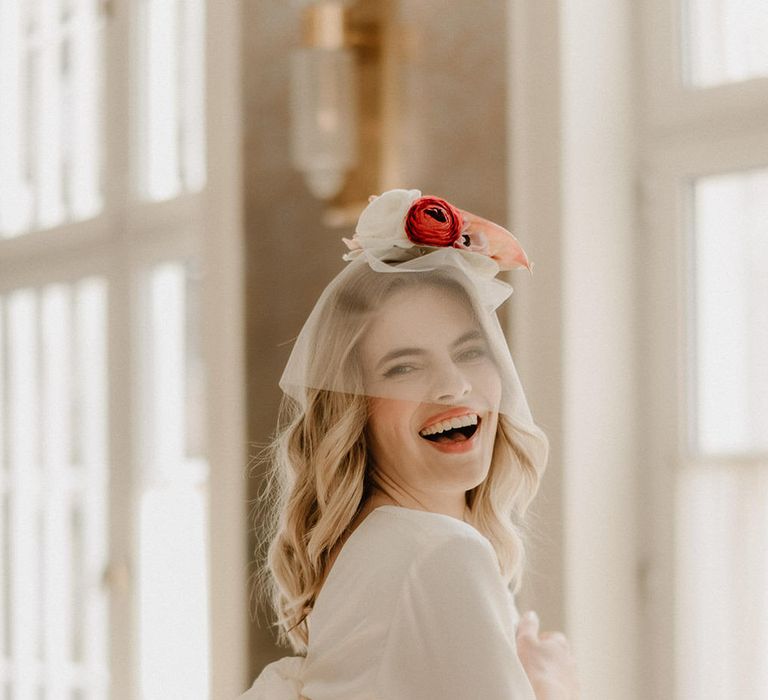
(445, 135)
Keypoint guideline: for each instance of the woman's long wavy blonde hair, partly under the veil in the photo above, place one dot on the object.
(319, 474)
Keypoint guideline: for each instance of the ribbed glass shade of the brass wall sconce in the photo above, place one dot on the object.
(324, 117)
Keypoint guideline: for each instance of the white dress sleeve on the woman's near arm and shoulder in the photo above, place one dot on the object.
(452, 633)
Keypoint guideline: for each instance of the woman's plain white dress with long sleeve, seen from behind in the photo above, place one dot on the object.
(414, 608)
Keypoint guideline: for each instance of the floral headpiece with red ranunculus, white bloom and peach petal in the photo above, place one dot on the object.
(401, 224)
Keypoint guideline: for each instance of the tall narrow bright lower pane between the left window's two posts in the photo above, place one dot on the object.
(173, 517)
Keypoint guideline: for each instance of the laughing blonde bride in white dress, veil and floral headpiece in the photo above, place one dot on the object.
(404, 463)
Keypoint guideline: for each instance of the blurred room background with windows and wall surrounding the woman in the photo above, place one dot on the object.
(175, 180)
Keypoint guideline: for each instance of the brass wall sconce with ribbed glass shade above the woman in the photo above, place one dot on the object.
(335, 104)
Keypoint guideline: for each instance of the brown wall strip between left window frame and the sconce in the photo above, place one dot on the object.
(289, 255)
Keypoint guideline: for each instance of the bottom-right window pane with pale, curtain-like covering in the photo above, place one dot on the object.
(721, 612)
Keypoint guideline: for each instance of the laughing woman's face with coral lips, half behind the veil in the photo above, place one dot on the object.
(426, 362)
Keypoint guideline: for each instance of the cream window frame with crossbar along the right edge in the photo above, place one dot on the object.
(686, 134)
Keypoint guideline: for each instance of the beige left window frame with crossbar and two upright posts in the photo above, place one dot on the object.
(118, 244)
